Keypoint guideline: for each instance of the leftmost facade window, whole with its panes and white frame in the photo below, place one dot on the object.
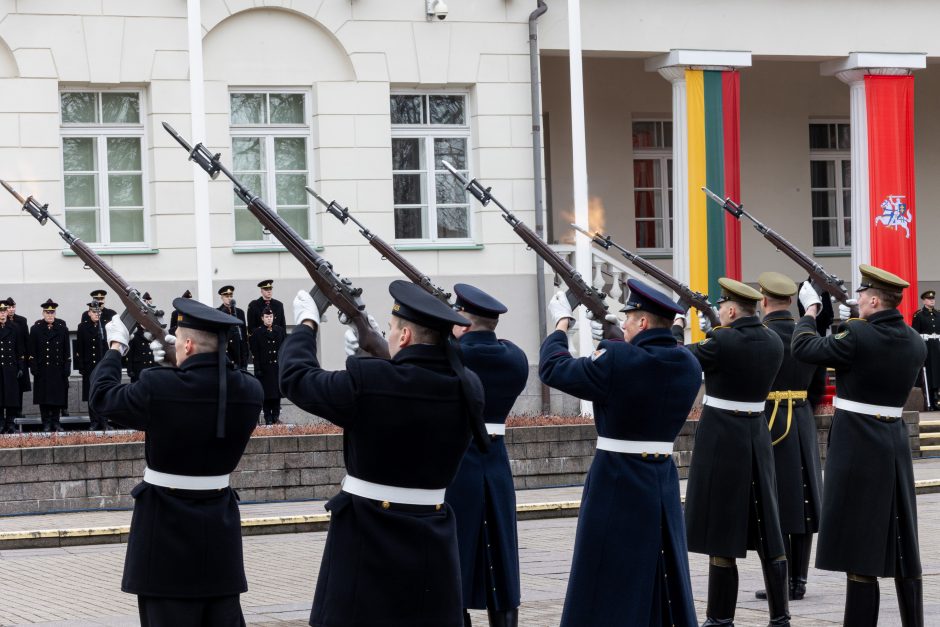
(103, 167)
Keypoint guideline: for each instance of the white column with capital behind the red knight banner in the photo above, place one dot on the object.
(852, 71)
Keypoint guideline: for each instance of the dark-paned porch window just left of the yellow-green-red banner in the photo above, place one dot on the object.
(652, 184)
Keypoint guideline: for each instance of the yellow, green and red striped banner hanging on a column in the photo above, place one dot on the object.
(714, 161)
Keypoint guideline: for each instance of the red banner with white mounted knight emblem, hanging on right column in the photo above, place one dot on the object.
(890, 103)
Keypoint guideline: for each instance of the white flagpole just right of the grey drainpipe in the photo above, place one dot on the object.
(582, 253)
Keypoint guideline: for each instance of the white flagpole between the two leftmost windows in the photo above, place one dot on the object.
(197, 103)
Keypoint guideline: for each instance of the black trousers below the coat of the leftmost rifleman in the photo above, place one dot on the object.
(209, 612)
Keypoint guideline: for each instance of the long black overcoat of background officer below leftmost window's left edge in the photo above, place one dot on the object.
(51, 362)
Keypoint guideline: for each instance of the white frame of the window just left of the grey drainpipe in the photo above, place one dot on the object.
(427, 133)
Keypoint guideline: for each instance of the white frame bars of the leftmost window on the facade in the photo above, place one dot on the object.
(100, 132)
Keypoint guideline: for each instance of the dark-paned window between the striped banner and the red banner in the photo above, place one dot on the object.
(830, 169)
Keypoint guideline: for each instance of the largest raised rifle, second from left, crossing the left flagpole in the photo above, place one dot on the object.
(329, 287)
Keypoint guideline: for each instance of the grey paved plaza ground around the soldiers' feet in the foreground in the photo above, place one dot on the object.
(80, 586)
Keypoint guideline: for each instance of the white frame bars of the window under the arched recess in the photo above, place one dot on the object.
(268, 133)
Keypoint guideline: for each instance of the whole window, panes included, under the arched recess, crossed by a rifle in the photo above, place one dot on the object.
(270, 137)
